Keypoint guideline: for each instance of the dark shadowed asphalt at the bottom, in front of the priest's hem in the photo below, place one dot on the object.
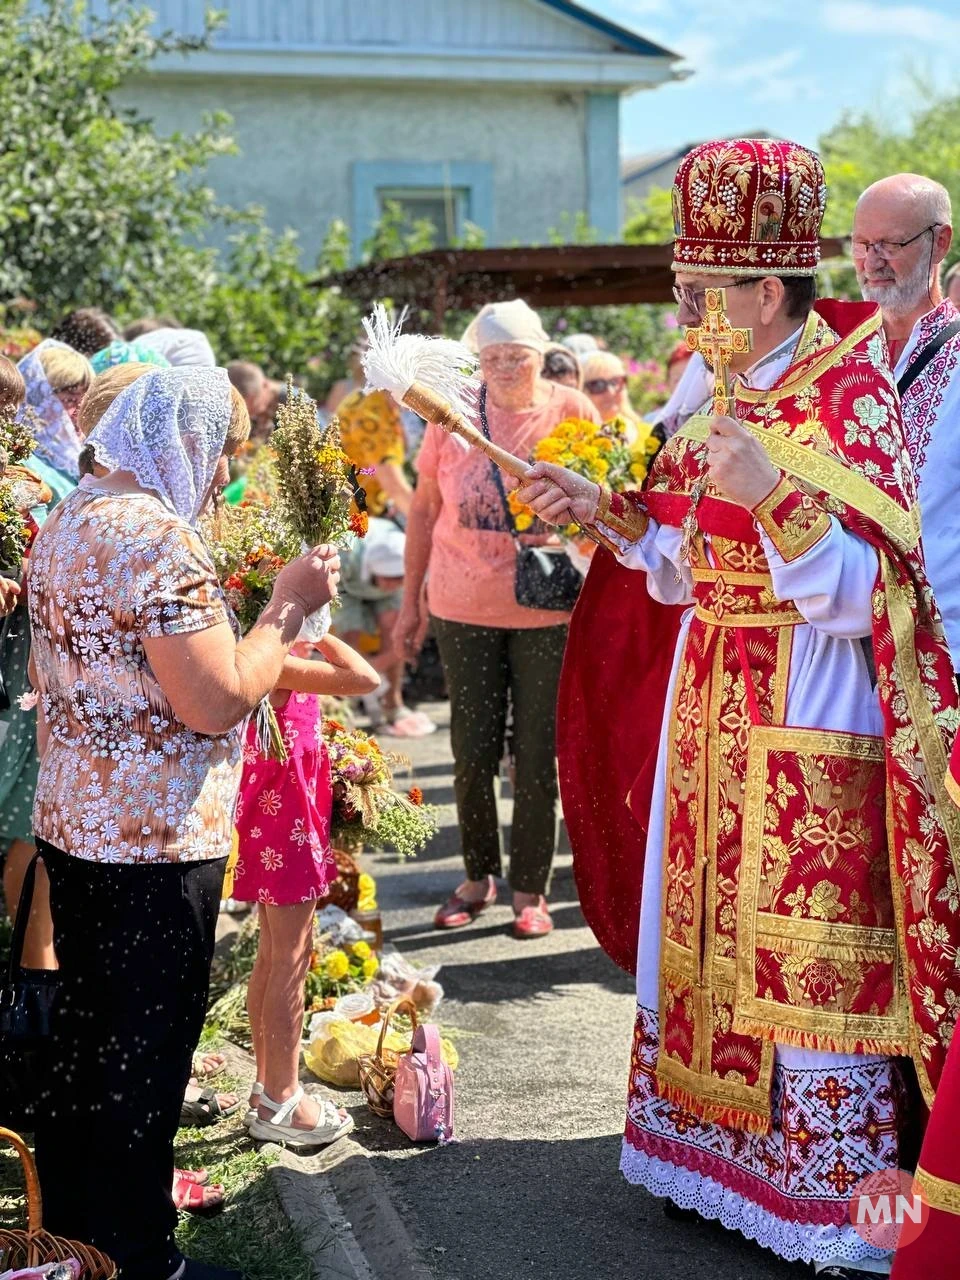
(514, 1209)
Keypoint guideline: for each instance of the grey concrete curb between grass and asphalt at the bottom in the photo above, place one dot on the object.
(340, 1208)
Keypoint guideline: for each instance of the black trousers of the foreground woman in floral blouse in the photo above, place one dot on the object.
(135, 945)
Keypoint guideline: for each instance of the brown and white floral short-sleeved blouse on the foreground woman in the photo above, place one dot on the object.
(122, 780)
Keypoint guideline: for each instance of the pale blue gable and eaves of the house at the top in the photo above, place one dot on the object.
(556, 43)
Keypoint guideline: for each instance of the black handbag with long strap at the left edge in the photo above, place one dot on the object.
(26, 1007)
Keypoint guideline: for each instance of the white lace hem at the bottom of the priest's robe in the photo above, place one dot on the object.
(794, 1242)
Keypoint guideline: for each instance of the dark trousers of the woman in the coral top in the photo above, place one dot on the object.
(484, 666)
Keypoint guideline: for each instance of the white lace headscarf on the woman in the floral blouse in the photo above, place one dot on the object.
(168, 429)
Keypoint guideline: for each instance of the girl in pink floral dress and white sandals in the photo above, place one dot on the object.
(284, 822)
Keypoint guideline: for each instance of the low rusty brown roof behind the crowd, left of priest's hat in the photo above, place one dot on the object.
(546, 277)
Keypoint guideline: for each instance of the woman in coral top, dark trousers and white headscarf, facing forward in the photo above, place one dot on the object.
(461, 543)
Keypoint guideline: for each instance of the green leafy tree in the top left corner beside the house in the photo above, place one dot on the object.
(86, 209)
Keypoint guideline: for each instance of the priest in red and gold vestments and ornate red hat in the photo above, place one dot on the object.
(796, 952)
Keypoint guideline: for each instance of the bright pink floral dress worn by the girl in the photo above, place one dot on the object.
(284, 813)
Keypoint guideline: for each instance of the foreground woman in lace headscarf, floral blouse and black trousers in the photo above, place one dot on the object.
(144, 691)
